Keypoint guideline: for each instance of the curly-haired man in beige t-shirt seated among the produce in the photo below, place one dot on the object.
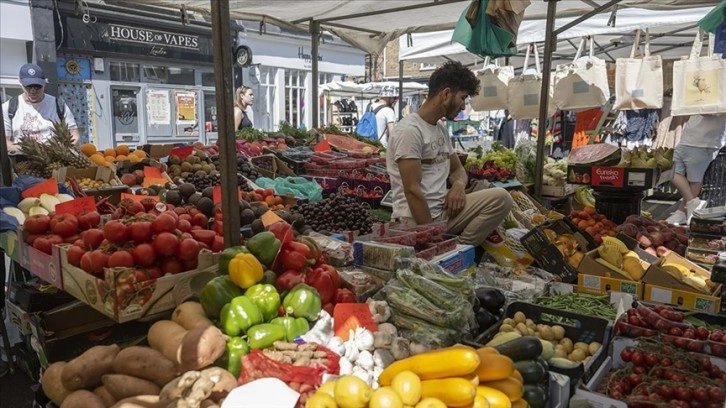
(420, 160)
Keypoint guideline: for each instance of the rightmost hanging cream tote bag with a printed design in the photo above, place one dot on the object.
(699, 83)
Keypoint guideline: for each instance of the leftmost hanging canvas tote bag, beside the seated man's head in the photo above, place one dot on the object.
(493, 82)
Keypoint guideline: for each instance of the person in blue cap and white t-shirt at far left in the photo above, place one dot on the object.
(33, 113)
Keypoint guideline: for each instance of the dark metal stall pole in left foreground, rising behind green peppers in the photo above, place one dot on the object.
(222, 49)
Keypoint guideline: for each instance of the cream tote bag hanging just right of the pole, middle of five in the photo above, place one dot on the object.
(583, 83)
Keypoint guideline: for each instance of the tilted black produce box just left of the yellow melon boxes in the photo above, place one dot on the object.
(546, 253)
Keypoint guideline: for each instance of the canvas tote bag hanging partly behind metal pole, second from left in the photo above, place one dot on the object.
(524, 91)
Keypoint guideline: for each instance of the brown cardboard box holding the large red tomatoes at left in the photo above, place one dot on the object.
(120, 297)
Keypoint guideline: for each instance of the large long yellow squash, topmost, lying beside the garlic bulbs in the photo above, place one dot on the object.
(449, 362)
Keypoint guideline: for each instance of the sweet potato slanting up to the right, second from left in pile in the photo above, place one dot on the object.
(85, 371)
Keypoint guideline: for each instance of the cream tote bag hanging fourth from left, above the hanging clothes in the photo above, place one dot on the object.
(639, 81)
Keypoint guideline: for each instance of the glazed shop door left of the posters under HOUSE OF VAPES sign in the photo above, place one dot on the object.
(125, 104)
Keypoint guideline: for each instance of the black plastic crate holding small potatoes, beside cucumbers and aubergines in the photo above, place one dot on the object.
(578, 328)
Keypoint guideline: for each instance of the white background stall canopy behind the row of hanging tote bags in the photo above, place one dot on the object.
(672, 33)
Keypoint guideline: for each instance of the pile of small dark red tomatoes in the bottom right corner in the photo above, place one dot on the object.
(660, 376)
